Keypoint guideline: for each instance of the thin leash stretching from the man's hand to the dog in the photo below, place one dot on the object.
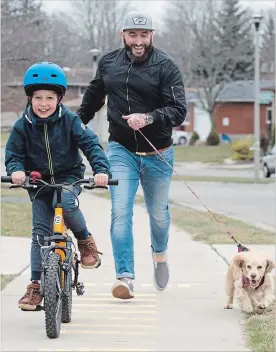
(241, 248)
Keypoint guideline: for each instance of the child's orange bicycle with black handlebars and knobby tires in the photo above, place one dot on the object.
(59, 259)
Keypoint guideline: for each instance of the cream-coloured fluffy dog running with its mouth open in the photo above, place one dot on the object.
(250, 275)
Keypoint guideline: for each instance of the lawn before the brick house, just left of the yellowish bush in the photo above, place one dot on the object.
(203, 153)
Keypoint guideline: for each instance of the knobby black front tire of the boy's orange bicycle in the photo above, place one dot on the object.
(52, 299)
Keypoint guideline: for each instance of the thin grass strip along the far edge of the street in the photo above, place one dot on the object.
(223, 179)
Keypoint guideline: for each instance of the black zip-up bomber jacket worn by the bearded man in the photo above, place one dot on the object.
(154, 86)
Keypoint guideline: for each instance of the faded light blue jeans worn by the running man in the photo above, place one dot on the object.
(155, 177)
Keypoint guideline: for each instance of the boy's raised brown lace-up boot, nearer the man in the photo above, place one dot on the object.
(89, 255)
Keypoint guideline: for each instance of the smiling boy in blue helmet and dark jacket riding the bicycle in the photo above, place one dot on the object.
(47, 139)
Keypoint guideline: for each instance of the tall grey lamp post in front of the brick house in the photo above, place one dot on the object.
(257, 20)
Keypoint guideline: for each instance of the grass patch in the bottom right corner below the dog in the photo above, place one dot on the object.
(261, 331)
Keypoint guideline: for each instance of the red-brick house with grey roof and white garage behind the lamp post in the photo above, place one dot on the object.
(234, 112)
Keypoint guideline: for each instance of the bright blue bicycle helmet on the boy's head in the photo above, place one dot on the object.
(45, 75)
